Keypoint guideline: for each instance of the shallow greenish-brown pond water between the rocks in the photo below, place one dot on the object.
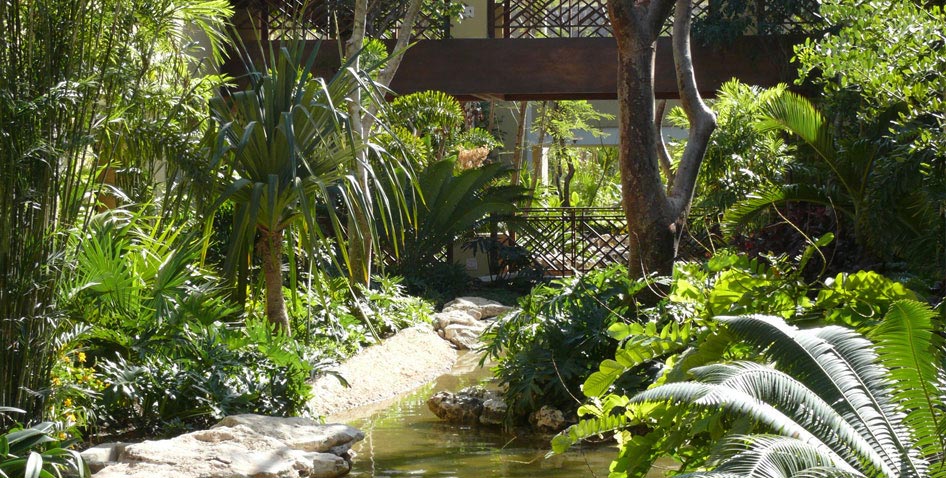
(403, 438)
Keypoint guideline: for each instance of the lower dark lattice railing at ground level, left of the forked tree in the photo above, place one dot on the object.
(566, 240)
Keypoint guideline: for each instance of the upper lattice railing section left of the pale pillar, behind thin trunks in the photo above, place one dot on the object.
(329, 19)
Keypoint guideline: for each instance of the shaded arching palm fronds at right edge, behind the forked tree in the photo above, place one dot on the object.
(866, 180)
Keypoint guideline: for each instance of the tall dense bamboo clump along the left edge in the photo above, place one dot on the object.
(87, 117)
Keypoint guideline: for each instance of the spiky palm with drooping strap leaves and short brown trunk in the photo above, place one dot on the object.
(284, 143)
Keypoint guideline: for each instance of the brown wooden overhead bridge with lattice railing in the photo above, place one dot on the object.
(537, 49)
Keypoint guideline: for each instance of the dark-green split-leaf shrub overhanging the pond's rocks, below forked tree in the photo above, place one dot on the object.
(557, 337)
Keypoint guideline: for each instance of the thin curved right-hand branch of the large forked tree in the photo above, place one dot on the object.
(702, 120)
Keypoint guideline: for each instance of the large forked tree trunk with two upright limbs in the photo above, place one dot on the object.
(655, 217)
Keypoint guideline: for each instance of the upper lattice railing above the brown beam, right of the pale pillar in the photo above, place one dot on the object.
(589, 18)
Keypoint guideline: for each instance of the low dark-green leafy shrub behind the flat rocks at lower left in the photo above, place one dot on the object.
(203, 374)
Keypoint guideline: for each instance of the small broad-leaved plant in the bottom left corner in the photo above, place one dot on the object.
(38, 451)
